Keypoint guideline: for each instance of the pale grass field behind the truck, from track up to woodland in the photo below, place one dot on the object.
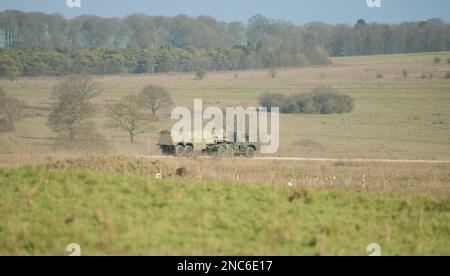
(395, 117)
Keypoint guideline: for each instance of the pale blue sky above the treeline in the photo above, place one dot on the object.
(297, 11)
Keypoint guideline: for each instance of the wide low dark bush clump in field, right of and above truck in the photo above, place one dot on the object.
(322, 100)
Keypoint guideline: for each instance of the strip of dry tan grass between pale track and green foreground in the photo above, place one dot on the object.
(418, 179)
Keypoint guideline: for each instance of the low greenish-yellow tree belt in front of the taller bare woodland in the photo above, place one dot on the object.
(38, 62)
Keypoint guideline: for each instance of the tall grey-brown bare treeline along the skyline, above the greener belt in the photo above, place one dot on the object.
(38, 30)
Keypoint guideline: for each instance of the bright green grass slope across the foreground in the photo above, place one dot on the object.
(41, 211)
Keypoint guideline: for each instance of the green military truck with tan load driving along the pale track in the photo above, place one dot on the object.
(219, 146)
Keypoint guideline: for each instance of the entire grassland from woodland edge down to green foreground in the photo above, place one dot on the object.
(111, 203)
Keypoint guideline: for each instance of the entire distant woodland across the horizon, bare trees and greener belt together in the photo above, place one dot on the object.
(34, 44)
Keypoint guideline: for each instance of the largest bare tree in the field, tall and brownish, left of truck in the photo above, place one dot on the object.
(73, 108)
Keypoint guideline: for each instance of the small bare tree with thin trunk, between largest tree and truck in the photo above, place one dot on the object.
(128, 115)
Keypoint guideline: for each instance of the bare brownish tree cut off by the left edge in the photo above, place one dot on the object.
(11, 109)
